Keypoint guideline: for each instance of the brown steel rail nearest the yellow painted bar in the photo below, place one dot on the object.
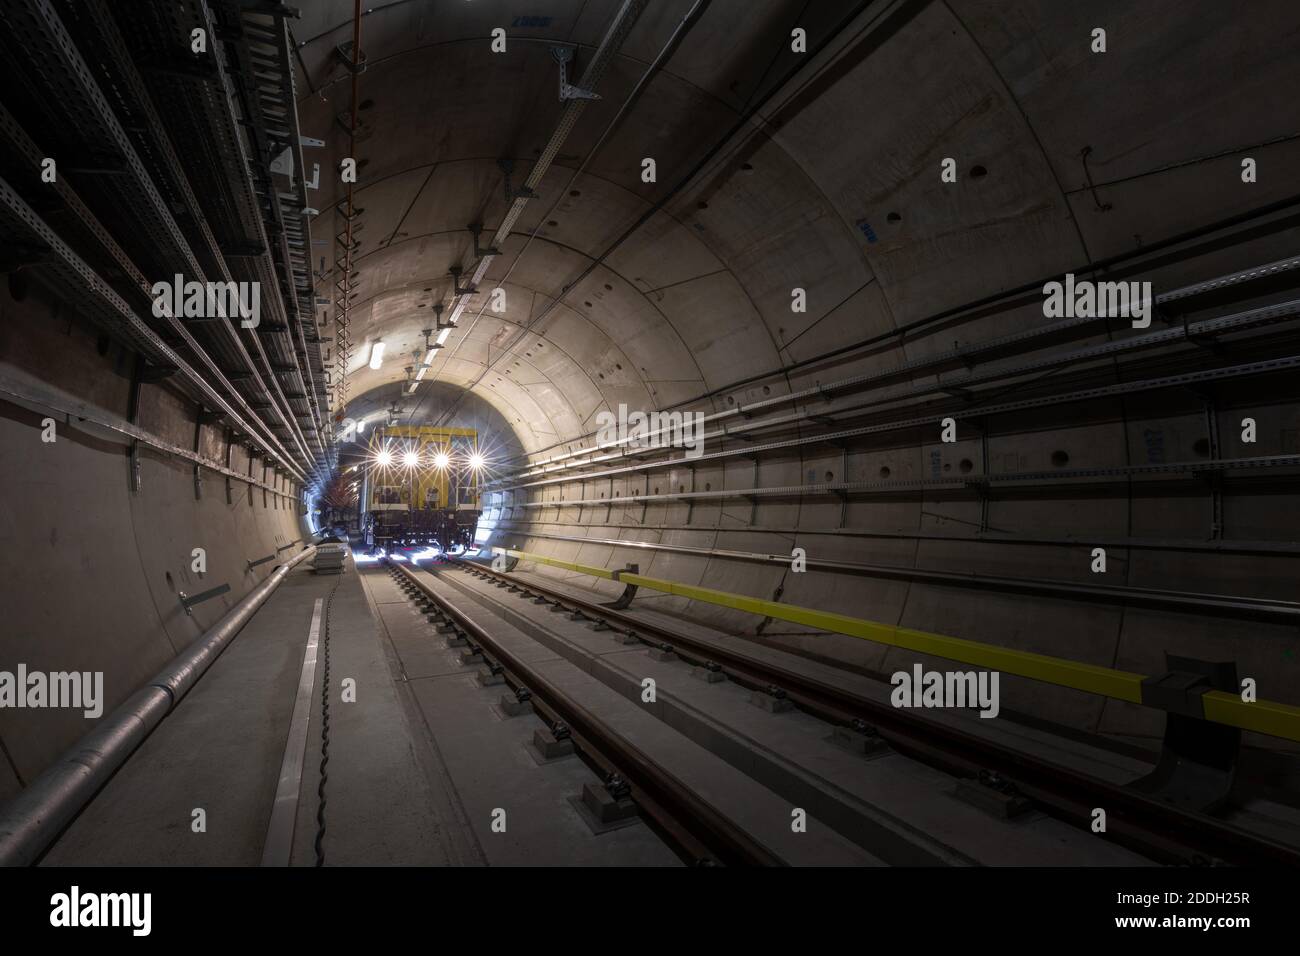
(1147, 825)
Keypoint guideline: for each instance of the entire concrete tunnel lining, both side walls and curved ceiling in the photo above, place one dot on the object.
(834, 191)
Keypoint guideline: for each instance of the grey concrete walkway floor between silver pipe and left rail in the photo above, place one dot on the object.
(220, 752)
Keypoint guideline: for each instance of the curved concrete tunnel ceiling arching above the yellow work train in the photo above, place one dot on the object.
(697, 299)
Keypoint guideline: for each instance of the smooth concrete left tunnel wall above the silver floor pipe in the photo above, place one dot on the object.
(93, 570)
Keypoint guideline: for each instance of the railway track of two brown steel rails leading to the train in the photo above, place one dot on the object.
(701, 834)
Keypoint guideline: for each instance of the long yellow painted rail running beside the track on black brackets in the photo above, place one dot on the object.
(1264, 717)
